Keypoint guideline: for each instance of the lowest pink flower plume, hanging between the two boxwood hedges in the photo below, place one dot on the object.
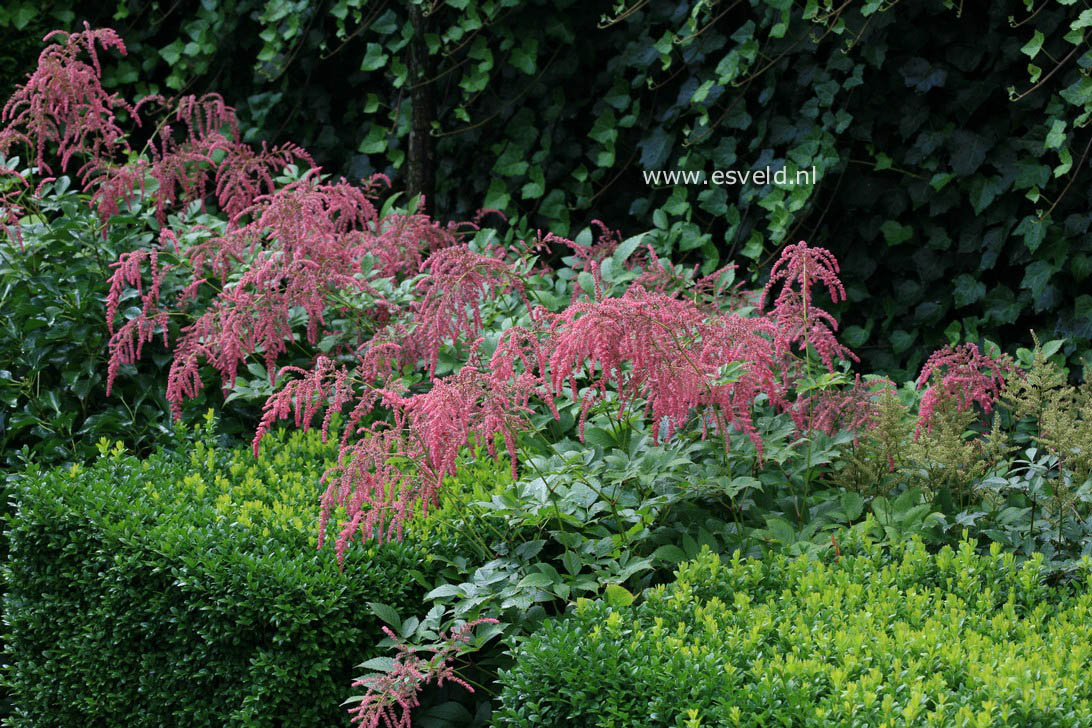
(393, 697)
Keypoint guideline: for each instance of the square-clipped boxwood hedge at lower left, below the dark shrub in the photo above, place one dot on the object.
(186, 590)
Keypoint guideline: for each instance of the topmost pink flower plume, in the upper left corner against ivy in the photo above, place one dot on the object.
(64, 103)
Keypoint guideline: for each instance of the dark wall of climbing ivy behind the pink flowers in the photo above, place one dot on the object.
(957, 207)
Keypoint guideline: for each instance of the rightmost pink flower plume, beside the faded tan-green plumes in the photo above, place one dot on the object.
(965, 375)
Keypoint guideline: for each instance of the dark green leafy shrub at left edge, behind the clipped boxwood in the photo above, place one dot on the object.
(54, 339)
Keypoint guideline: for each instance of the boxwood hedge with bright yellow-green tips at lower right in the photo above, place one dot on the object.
(899, 638)
